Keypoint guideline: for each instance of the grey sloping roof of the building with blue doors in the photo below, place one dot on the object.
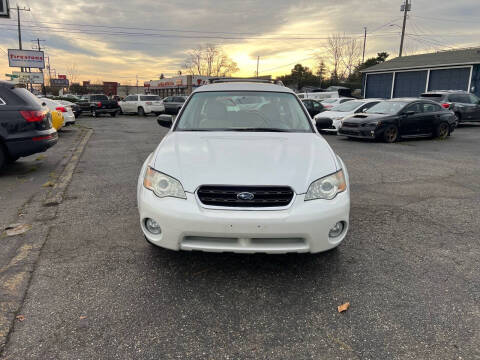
(437, 59)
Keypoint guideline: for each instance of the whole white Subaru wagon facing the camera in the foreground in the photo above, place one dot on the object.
(243, 169)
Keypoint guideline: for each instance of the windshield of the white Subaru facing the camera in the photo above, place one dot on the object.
(244, 111)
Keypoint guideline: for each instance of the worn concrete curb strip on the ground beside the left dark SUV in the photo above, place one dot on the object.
(55, 197)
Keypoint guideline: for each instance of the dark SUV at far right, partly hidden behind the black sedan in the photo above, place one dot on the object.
(466, 106)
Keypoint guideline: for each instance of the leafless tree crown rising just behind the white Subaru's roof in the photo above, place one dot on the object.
(209, 60)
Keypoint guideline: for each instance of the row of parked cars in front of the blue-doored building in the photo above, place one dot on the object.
(435, 113)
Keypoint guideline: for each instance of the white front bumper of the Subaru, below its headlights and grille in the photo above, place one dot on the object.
(186, 225)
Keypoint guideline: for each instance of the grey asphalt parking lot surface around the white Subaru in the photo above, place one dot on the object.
(409, 267)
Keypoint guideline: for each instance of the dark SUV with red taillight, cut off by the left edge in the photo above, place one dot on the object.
(25, 127)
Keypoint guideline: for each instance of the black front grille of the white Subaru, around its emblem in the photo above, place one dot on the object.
(263, 196)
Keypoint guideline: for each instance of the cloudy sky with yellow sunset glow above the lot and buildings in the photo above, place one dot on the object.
(118, 40)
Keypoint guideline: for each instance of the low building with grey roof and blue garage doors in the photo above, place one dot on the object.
(409, 76)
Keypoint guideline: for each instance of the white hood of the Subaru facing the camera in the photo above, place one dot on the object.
(244, 158)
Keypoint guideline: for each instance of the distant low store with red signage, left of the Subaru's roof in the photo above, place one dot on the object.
(179, 85)
